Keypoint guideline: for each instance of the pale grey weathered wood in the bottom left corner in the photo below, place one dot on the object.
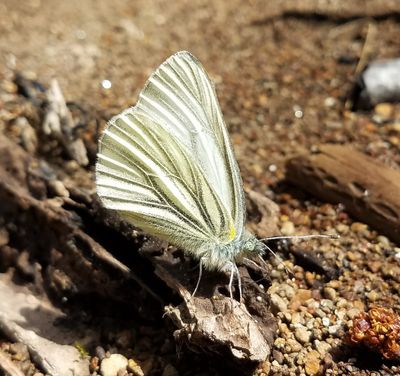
(27, 319)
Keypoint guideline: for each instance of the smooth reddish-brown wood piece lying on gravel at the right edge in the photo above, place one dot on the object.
(369, 190)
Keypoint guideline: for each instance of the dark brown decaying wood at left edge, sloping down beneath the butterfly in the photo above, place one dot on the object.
(76, 264)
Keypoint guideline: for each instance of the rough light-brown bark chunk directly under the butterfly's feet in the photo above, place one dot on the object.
(213, 323)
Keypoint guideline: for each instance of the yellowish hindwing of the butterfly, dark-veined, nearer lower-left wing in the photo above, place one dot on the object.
(149, 177)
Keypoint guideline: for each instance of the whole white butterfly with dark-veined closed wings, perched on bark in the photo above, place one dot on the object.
(167, 166)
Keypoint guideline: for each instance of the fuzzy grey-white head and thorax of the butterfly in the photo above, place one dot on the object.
(222, 257)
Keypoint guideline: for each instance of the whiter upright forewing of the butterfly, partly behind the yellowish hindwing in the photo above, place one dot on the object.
(181, 99)
